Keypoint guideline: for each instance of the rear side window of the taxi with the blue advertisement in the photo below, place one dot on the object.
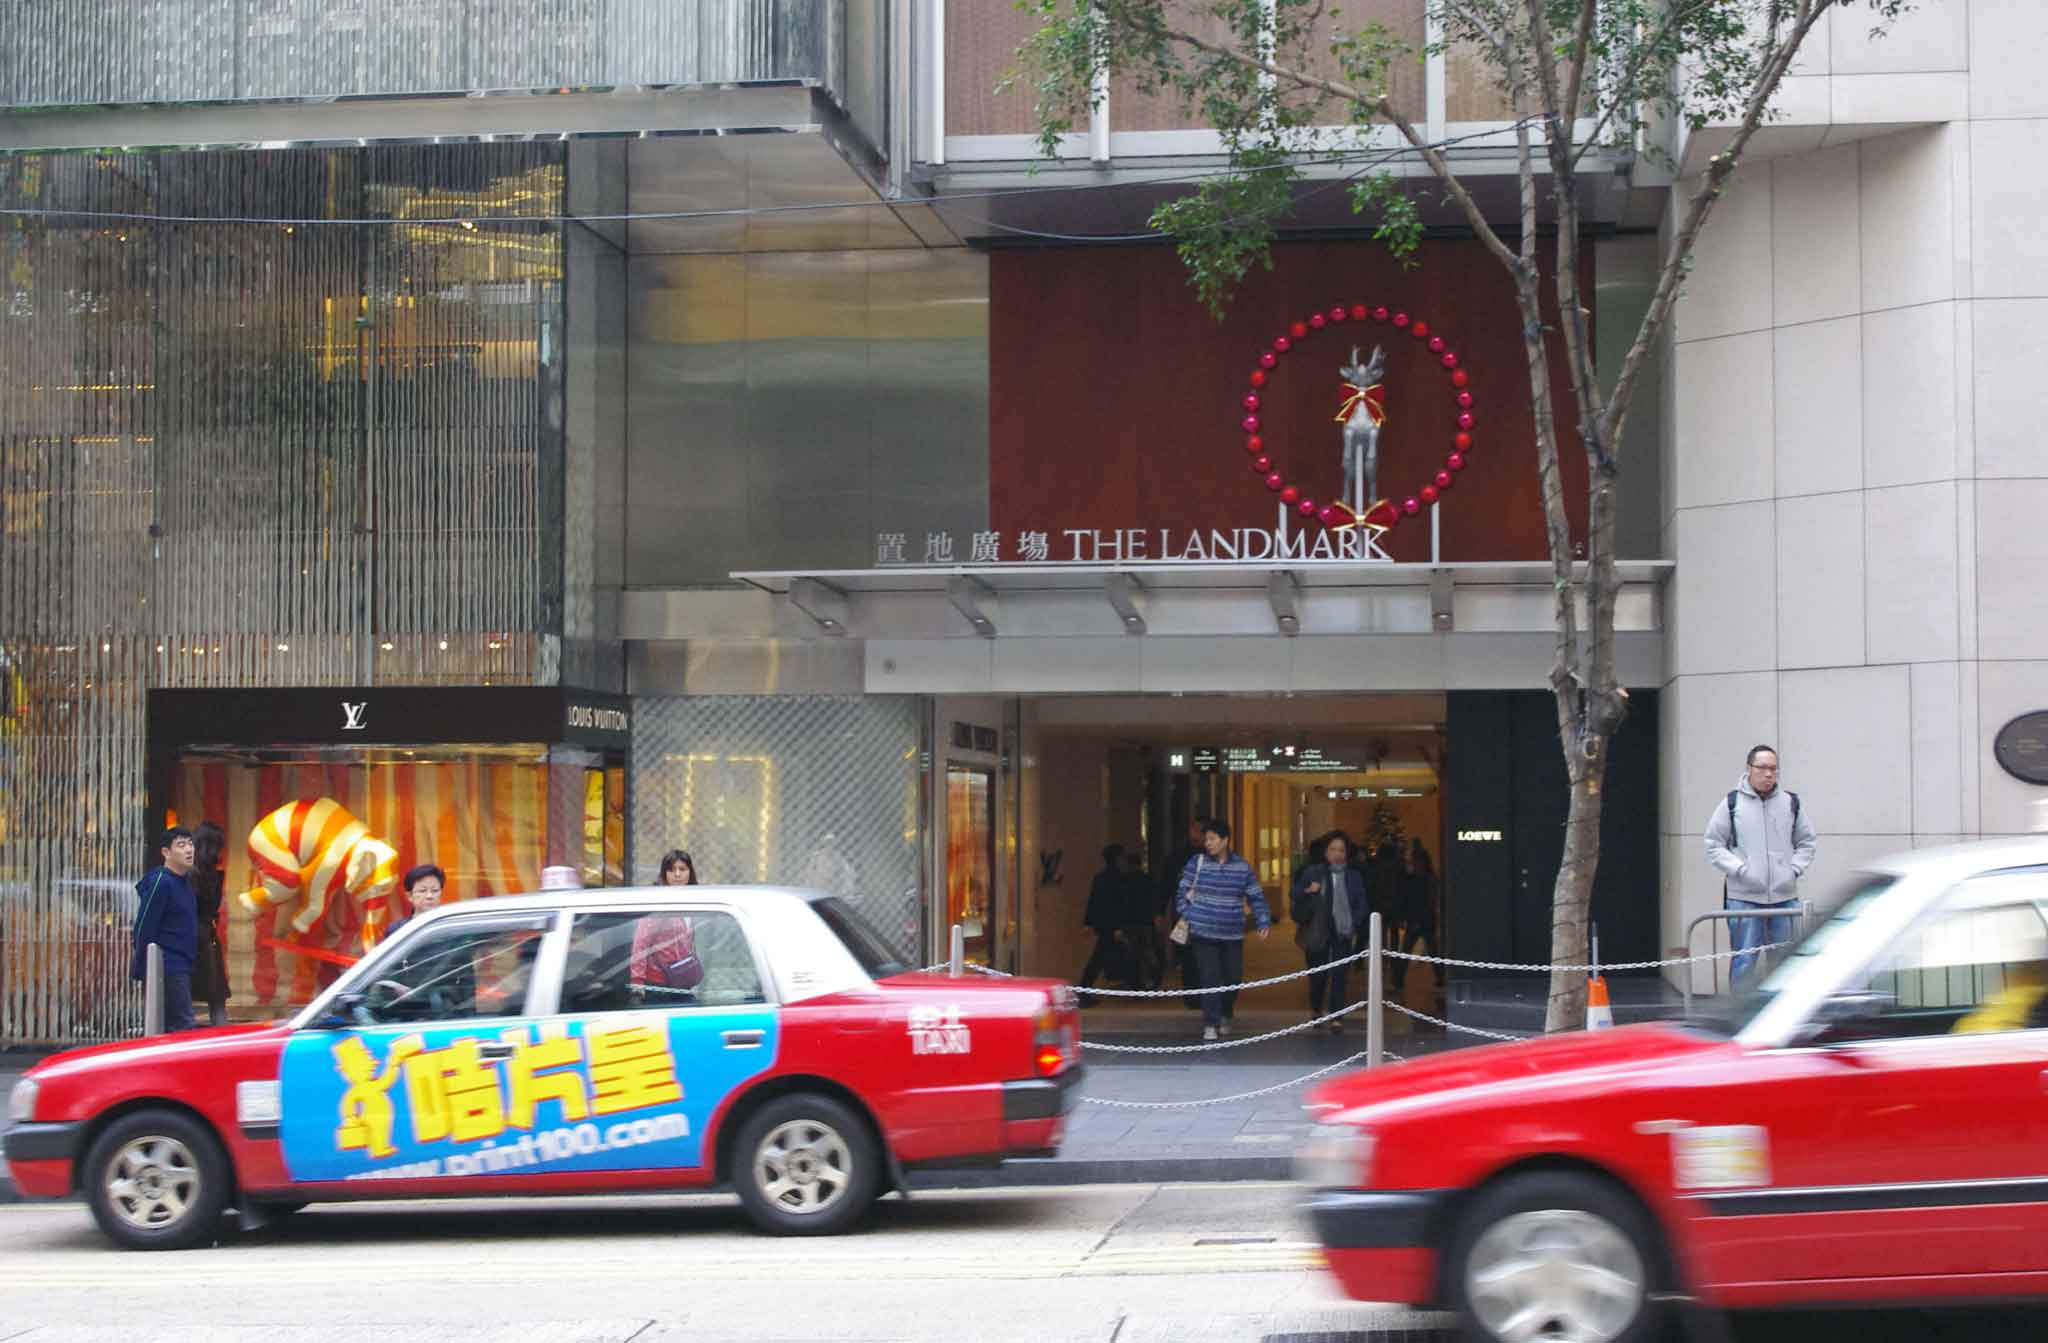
(658, 959)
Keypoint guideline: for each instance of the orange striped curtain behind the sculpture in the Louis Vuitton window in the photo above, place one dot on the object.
(482, 822)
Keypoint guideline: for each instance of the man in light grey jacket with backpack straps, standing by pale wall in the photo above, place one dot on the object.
(1762, 844)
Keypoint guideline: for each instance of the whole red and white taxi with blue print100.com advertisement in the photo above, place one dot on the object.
(568, 1045)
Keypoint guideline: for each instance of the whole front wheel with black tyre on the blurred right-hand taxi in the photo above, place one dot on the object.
(1555, 1256)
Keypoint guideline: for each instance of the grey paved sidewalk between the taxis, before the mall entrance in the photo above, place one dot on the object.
(1242, 1139)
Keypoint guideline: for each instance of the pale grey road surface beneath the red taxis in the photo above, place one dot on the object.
(1099, 1264)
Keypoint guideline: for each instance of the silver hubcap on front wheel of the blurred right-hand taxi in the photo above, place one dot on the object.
(1555, 1274)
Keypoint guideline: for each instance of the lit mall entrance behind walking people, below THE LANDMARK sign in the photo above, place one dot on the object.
(1283, 771)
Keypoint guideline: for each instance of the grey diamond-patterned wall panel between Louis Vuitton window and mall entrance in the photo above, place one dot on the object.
(798, 791)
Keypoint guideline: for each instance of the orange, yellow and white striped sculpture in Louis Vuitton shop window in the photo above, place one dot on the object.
(314, 853)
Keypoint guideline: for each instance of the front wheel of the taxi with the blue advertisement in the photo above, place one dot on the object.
(157, 1180)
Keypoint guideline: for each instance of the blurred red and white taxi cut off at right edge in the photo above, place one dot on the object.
(1869, 1125)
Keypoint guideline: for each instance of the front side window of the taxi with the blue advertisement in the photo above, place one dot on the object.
(462, 971)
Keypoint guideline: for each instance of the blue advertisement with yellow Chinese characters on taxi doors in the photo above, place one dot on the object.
(617, 1092)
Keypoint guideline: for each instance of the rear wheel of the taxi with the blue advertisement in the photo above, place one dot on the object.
(806, 1166)
